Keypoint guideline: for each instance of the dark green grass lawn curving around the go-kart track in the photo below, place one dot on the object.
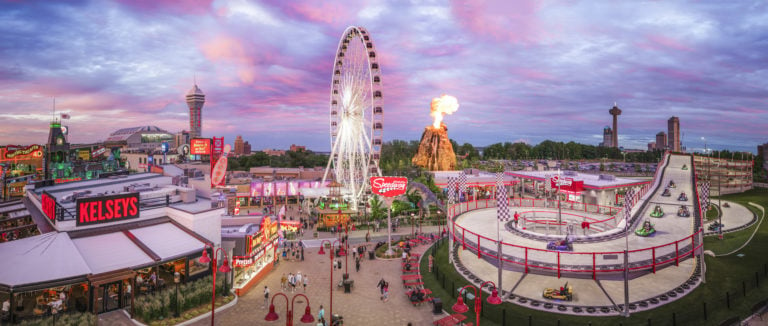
(728, 279)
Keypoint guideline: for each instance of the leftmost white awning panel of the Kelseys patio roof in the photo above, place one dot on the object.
(47, 257)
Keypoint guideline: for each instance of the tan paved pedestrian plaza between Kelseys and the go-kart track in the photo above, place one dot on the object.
(361, 307)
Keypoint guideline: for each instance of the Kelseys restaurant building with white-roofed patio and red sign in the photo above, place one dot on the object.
(99, 250)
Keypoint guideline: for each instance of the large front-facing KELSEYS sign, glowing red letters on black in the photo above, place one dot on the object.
(98, 210)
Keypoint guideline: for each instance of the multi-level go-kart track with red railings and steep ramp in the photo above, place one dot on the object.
(660, 265)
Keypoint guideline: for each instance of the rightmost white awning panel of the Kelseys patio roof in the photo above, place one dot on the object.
(167, 240)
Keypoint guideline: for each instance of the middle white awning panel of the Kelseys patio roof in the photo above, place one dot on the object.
(110, 252)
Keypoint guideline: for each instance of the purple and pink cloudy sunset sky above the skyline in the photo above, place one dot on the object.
(521, 70)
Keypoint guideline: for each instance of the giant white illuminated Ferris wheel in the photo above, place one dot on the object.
(356, 115)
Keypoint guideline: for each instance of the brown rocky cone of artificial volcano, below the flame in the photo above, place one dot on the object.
(435, 150)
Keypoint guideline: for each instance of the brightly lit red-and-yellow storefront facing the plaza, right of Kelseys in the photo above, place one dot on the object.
(256, 257)
